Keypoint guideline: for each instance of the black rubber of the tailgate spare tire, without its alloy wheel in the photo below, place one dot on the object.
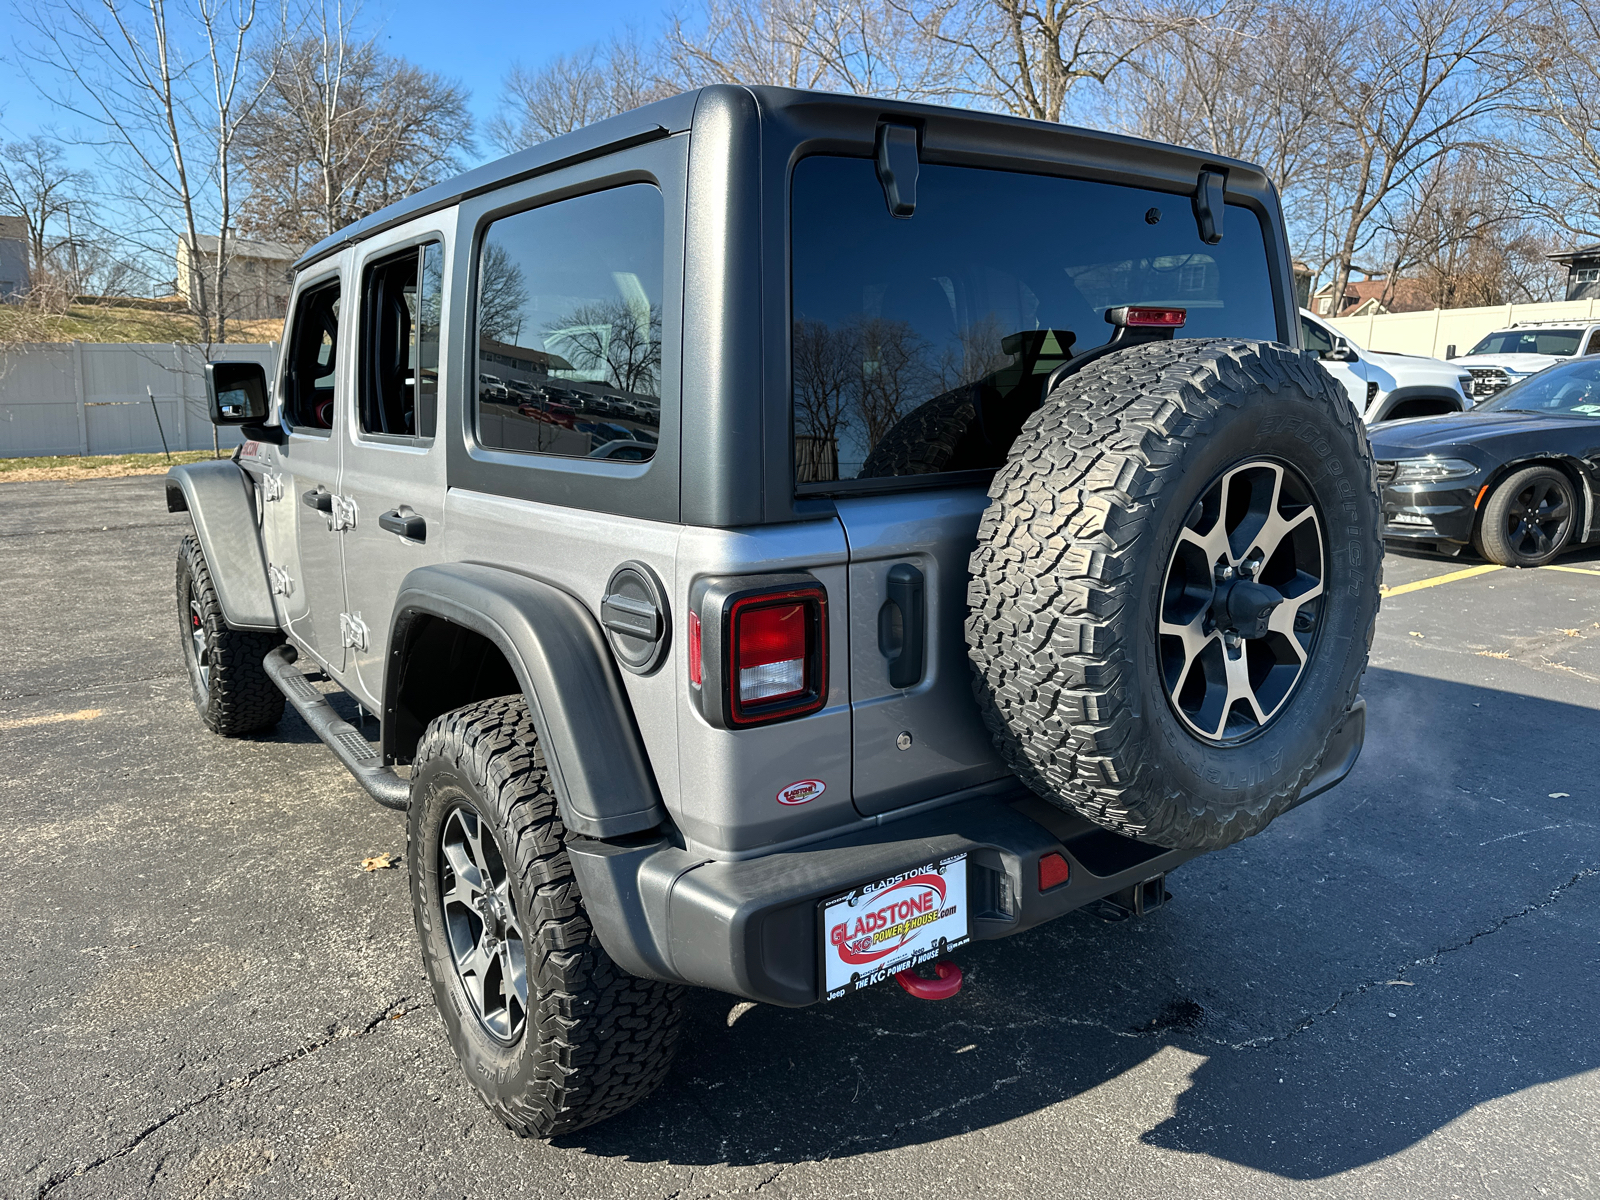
(1071, 566)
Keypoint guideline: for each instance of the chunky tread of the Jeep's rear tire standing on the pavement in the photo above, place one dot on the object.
(606, 1038)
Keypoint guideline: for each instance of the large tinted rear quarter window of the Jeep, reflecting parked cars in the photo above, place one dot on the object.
(569, 327)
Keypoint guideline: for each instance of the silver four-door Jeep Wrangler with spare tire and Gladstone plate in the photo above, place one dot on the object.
(785, 538)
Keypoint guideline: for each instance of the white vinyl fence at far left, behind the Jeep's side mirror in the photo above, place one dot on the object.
(95, 398)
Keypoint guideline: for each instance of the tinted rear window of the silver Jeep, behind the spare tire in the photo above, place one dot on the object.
(919, 346)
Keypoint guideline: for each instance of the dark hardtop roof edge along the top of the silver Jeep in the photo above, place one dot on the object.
(674, 116)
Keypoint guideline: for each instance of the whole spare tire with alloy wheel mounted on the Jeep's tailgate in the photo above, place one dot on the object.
(1175, 588)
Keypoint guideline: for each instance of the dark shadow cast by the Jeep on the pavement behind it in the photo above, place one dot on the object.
(1410, 946)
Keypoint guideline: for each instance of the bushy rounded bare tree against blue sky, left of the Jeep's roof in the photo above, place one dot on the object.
(343, 130)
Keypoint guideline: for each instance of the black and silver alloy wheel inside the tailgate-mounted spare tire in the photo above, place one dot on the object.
(1242, 602)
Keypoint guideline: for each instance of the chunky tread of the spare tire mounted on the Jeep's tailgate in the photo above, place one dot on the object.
(1058, 553)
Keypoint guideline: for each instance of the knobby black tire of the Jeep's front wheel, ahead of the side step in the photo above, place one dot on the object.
(244, 698)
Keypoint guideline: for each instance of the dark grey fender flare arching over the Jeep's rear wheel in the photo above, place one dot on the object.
(586, 727)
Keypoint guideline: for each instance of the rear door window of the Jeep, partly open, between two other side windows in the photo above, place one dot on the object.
(404, 298)
